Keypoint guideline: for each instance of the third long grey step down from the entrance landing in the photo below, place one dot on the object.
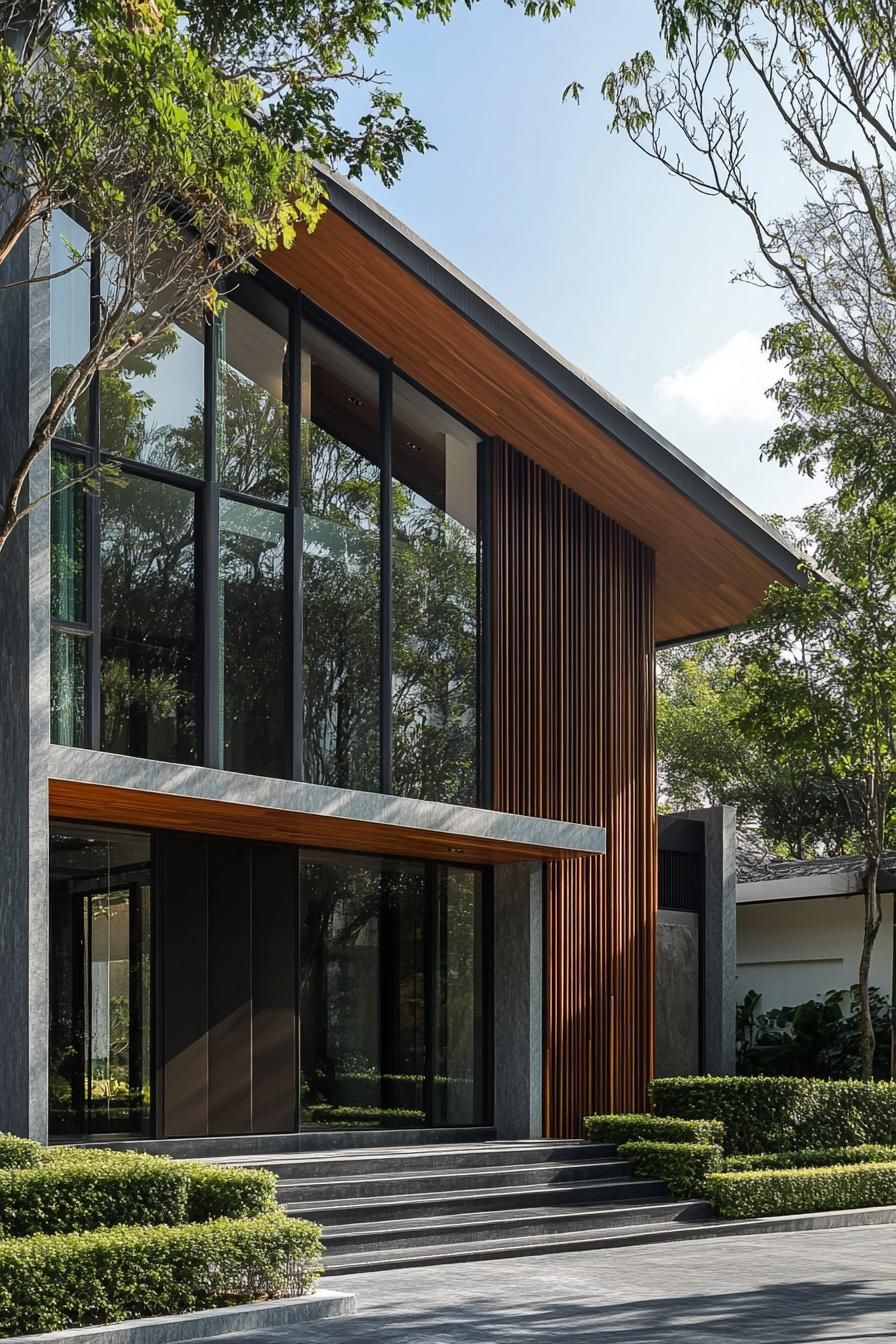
(465, 1204)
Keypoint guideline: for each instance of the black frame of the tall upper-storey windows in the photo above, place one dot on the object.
(208, 497)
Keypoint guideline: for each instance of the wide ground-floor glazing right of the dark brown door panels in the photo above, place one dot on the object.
(393, 1023)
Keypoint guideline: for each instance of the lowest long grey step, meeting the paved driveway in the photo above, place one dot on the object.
(697, 1225)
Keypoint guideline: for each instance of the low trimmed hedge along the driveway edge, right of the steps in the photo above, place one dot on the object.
(809, 1191)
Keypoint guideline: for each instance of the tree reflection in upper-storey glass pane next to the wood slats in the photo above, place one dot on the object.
(435, 653)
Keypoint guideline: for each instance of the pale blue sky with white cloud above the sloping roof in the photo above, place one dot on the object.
(615, 263)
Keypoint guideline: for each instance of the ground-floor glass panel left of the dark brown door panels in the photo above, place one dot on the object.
(100, 1010)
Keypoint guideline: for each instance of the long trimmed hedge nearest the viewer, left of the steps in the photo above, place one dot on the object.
(119, 1273)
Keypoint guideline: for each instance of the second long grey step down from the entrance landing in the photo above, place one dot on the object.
(296, 1191)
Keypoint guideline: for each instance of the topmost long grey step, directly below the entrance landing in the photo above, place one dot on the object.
(385, 1162)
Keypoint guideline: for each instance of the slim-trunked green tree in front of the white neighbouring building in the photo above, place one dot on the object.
(819, 675)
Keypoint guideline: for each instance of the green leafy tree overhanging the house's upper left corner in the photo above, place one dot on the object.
(186, 138)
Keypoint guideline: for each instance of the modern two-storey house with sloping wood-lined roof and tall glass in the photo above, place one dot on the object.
(328, 741)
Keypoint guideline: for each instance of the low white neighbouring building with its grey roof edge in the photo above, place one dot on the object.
(800, 929)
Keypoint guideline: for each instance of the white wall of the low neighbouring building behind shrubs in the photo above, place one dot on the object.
(795, 951)
